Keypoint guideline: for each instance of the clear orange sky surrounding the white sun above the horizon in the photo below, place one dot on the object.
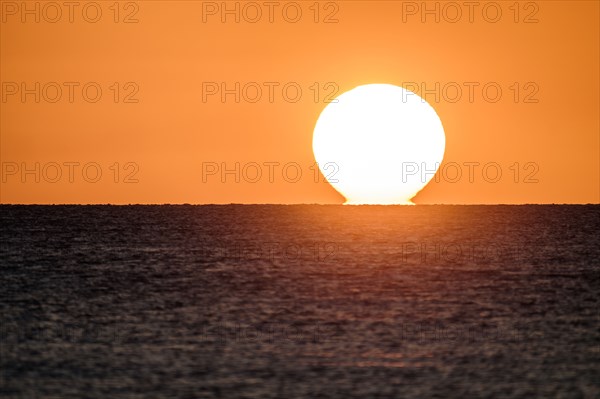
(166, 138)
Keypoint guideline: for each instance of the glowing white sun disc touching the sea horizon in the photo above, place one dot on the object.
(379, 144)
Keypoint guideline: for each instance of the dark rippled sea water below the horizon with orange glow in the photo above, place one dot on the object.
(302, 301)
